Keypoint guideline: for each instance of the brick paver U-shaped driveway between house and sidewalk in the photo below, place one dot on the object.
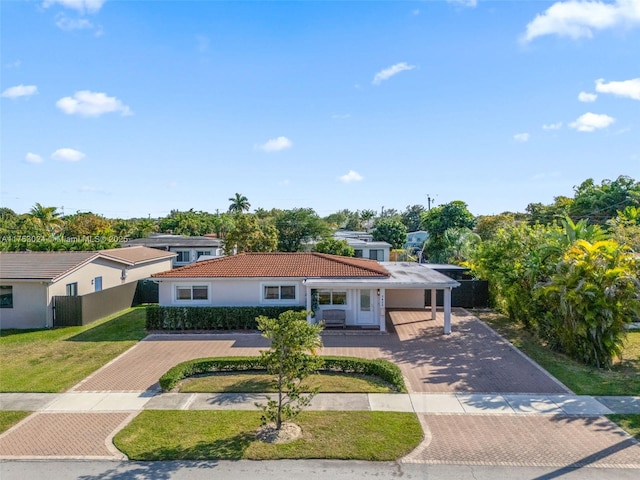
(472, 359)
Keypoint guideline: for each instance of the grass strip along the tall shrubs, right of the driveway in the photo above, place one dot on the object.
(622, 379)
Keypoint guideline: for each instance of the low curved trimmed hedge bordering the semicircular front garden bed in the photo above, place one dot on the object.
(382, 369)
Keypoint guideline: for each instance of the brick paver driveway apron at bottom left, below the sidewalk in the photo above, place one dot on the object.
(64, 435)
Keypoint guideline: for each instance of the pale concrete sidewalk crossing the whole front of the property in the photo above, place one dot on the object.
(442, 403)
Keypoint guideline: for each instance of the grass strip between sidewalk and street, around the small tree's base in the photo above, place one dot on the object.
(230, 435)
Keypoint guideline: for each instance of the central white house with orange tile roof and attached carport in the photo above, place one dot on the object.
(362, 288)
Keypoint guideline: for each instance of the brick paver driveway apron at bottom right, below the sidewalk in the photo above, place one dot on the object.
(527, 440)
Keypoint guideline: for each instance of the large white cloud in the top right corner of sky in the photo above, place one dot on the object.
(576, 19)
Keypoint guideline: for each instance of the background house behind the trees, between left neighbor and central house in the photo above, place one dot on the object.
(187, 249)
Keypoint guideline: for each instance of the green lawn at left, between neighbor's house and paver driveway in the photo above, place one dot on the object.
(56, 359)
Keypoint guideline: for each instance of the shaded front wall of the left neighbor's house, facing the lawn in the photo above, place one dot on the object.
(29, 306)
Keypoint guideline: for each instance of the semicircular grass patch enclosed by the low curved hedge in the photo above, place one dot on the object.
(263, 383)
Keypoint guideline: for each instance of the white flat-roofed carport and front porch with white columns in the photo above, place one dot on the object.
(404, 288)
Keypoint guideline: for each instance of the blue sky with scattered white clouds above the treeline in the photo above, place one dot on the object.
(133, 108)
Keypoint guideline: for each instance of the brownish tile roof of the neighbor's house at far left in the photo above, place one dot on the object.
(51, 265)
